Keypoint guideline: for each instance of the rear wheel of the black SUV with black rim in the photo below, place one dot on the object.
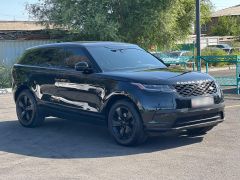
(28, 112)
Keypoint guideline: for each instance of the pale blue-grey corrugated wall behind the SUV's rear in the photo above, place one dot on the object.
(10, 50)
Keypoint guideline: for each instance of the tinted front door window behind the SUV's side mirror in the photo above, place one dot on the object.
(73, 56)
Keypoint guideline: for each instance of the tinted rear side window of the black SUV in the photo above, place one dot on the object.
(44, 57)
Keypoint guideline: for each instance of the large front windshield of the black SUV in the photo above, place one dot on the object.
(124, 58)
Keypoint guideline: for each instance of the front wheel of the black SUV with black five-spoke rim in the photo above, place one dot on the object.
(125, 124)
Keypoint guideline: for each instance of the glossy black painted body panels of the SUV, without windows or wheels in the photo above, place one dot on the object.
(67, 93)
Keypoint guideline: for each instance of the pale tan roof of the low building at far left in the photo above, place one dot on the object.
(20, 26)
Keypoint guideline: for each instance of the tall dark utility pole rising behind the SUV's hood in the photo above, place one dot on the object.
(198, 34)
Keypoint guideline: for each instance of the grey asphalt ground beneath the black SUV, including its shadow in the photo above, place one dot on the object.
(64, 149)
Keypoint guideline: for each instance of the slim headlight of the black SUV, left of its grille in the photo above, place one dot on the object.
(150, 87)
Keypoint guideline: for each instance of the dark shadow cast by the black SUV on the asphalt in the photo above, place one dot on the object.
(67, 139)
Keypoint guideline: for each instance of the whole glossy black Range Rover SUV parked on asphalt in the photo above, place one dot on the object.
(120, 83)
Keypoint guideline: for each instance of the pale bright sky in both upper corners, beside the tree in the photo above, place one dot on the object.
(15, 9)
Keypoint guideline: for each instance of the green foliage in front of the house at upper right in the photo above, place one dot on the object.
(227, 26)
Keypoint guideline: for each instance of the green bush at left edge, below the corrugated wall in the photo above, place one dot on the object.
(5, 77)
